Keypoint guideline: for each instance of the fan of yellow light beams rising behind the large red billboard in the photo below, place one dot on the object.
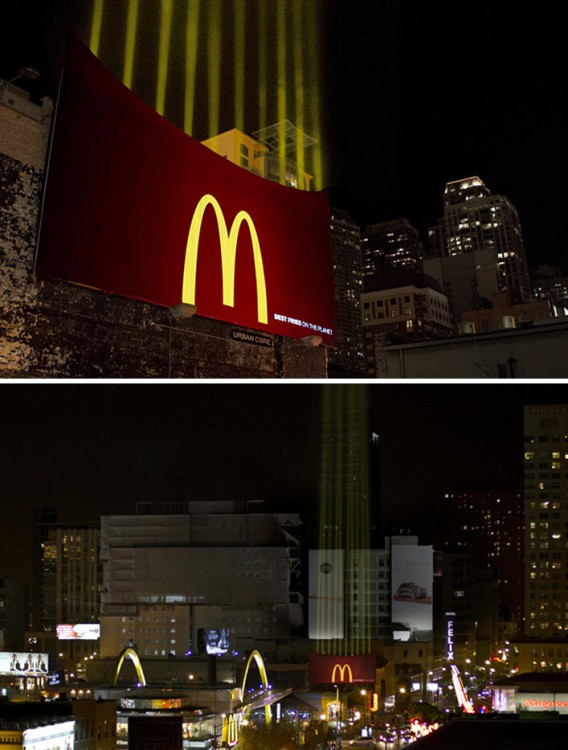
(242, 64)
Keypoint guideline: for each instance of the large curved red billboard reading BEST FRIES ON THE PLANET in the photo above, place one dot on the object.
(135, 207)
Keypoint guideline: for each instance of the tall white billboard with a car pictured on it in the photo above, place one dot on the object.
(412, 576)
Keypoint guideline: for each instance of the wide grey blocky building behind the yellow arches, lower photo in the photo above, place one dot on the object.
(177, 576)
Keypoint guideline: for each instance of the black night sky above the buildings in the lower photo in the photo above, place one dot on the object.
(91, 450)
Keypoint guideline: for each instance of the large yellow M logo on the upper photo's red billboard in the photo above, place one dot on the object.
(228, 239)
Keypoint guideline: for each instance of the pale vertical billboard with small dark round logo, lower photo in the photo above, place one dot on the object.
(326, 602)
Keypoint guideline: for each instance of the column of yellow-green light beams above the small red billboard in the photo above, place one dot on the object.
(340, 606)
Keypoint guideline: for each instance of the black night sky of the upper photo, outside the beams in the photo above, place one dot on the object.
(418, 93)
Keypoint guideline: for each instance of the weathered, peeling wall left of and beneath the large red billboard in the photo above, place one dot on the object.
(58, 330)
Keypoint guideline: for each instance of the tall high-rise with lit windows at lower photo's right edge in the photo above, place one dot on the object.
(546, 519)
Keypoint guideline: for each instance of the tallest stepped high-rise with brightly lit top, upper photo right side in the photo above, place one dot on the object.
(477, 221)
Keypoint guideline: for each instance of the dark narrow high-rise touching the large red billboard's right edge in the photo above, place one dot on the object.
(347, 359)
